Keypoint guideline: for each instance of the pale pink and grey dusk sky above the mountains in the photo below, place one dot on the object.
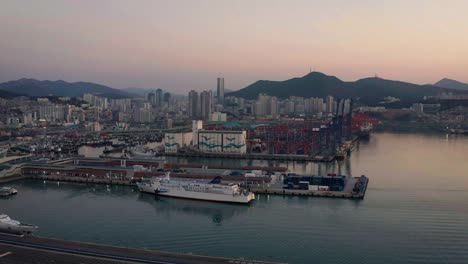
(182, 45)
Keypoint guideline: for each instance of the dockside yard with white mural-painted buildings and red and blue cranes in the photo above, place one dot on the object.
(291, 139)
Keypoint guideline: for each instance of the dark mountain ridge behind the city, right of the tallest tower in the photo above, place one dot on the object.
(316, 84)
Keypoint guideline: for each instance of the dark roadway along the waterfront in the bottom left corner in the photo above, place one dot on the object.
(31, 249)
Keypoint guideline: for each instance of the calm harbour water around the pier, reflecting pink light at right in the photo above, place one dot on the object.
(415, 211)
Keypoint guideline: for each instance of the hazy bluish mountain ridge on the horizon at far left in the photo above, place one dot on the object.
(32, 87)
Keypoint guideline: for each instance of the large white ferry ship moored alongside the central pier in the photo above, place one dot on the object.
(207, 191)
